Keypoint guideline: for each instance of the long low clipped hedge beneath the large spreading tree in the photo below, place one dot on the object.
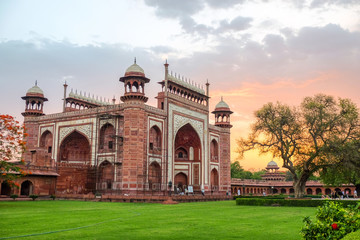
(288, 202)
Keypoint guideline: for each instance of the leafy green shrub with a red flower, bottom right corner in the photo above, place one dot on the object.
(333, 221)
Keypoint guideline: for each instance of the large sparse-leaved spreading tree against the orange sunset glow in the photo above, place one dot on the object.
(303, 137)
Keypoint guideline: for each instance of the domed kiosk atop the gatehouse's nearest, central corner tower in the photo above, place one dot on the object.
(134, 83)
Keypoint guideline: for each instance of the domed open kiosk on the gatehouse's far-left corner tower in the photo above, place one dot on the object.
(34, 102)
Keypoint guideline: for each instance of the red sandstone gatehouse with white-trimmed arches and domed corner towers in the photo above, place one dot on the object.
(130, 147)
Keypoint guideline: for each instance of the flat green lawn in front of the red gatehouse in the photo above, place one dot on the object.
(102, 220)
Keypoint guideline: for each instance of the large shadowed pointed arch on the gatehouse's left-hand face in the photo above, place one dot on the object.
(75, 148)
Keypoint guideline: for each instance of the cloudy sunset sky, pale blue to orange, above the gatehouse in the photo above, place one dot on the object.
(251, 52)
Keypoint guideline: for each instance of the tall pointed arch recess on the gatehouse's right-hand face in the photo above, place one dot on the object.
(188, 155)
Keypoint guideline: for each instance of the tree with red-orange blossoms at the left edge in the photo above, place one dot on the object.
(12, 146)
